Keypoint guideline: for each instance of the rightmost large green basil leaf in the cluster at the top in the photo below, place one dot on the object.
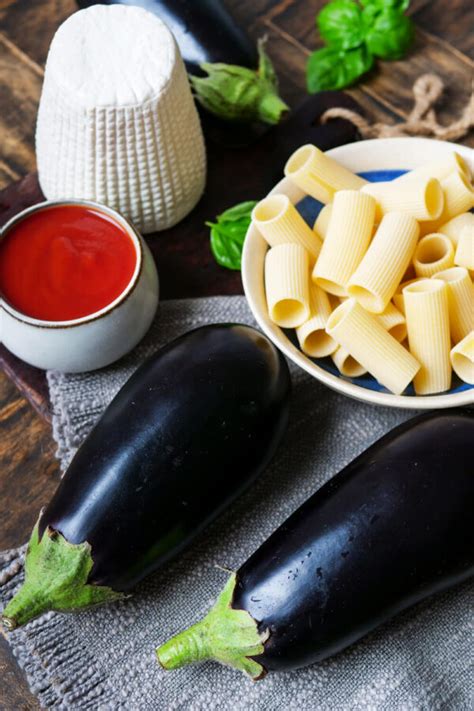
(391, 35)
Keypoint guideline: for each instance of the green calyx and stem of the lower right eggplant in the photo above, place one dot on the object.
(229, 636)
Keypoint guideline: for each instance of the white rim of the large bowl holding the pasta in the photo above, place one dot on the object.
(389, 151)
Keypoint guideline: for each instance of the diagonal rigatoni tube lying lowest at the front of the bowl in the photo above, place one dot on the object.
(369, 343)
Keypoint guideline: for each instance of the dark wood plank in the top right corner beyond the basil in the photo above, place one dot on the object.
(452, 22)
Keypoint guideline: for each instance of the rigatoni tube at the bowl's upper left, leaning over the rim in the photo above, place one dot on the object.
(319, 175)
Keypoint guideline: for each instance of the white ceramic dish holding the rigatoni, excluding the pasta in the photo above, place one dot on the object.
(373, 155)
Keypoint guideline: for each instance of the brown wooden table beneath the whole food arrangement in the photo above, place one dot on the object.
(444, 44)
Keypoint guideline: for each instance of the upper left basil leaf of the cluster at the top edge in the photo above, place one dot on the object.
(340, 24)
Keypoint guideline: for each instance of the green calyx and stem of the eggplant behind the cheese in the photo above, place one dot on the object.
(239, 94)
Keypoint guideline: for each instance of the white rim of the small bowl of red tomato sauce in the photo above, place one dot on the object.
(122, 221)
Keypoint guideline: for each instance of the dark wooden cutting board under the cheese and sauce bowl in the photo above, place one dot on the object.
(185, 264)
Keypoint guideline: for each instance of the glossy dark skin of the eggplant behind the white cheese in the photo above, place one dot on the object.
(204, 30)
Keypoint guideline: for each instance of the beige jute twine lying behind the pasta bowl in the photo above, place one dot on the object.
(422, 120)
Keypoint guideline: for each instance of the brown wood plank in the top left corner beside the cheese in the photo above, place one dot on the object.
(31, 24)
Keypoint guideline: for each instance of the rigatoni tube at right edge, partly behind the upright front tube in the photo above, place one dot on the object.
(460, 301)
